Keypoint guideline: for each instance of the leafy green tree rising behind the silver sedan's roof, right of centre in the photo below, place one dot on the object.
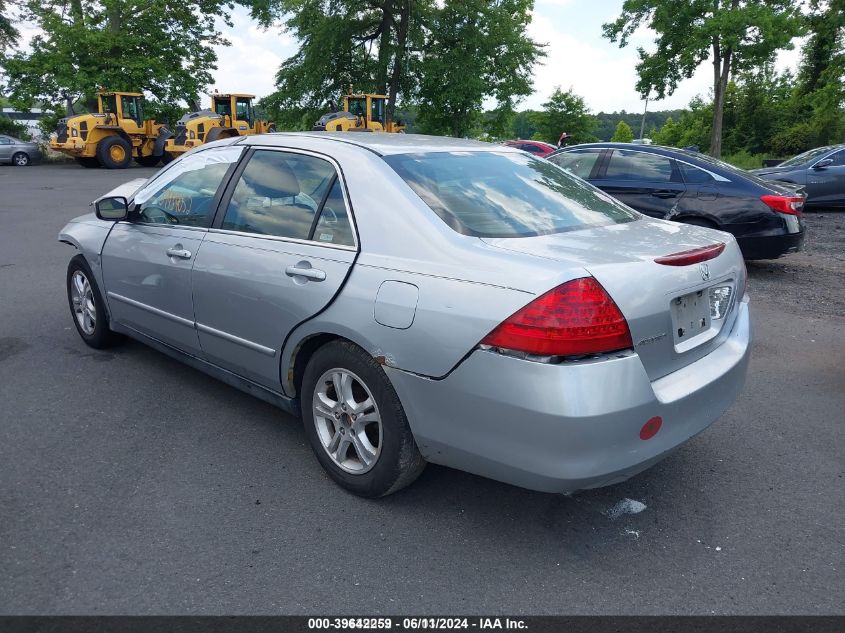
(475, 50)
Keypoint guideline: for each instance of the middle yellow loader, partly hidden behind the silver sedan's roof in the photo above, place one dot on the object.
(230, 115)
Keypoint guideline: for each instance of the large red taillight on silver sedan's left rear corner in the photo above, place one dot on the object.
(574, 319)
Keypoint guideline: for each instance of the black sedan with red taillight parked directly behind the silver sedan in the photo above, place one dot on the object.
(685, 186)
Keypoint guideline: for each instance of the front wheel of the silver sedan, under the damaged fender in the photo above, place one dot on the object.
(87, 307)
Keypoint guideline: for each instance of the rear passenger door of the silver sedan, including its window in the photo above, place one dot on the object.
(280, 249)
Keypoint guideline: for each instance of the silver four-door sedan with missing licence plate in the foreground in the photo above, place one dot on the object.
(423, 299)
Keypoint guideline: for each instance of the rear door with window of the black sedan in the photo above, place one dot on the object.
(650, 183)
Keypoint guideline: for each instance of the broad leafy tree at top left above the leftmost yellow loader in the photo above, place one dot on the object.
(164, 48)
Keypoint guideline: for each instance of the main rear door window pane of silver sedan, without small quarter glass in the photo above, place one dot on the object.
(279, 194)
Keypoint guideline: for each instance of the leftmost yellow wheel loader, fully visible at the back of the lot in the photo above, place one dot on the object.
(114, 135)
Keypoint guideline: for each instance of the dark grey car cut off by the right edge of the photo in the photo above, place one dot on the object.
(821, 171)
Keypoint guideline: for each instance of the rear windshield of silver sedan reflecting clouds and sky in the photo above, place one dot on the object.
(487, 194)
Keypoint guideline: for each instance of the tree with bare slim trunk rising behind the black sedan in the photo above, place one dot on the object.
(733, 34)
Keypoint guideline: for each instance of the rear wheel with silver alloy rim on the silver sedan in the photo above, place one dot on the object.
(385, 433)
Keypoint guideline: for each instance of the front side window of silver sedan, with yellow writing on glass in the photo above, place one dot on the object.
(183, 194)
